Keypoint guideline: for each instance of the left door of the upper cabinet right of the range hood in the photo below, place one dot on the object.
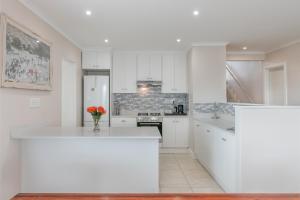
(168, 73)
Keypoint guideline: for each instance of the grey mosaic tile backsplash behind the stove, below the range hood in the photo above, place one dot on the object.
(149, 99)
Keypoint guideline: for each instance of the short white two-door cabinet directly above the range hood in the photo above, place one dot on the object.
(149, 67)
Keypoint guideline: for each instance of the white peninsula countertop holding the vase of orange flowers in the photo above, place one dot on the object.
(86, 132)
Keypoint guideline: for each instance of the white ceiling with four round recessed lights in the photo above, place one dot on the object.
(261, 25)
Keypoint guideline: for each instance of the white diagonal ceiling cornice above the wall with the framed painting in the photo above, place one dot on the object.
(37, 12)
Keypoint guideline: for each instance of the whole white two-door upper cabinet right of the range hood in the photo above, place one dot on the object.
(174, 73)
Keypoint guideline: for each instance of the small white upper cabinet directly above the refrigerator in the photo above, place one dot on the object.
(96, 59)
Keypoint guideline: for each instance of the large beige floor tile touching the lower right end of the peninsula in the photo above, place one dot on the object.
(172, 178)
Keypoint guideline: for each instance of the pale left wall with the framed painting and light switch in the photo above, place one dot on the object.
(14, 107)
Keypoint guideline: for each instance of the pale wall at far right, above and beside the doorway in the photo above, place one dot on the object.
(291, 56)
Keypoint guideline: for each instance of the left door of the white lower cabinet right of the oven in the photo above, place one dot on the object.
(168, 132)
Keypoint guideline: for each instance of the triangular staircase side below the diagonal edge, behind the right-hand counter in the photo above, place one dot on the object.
(235, 91)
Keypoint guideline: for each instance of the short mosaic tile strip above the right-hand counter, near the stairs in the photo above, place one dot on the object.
(222, 108)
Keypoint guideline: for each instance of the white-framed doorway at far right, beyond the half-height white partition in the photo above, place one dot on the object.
(276, 84)
